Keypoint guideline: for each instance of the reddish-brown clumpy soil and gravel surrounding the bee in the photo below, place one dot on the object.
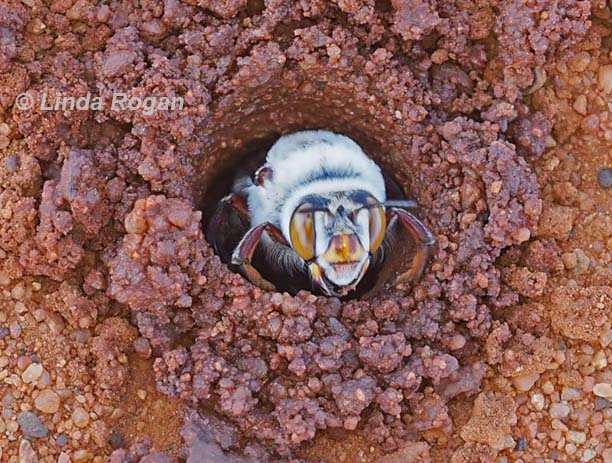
(123, 338)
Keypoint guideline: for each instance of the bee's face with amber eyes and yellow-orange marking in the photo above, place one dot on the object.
(336, 235)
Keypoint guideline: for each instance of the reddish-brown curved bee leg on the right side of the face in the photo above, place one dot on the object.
(425, 241)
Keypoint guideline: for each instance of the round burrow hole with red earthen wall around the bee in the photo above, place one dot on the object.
(244, 127)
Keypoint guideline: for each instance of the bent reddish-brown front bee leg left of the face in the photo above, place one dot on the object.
(243, 254)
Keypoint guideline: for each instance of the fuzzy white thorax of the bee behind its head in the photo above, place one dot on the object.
(295, 158)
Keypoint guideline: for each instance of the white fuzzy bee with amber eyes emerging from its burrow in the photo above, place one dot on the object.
(316, 215)
